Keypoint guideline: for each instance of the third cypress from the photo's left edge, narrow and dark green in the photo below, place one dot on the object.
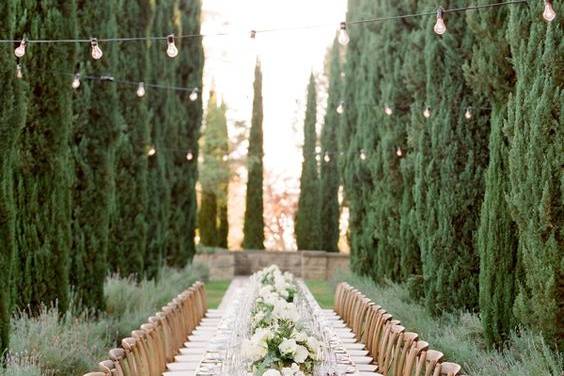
(97, 128)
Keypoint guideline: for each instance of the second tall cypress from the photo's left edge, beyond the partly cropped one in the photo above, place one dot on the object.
(44, 166)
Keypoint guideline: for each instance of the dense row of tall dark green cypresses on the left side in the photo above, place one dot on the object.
(80, 197)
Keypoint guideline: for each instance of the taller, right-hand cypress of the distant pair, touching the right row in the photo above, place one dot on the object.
(329, 173)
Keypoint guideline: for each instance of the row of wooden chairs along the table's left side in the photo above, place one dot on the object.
(155, 343)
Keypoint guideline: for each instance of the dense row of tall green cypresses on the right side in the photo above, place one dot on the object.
(466, 208)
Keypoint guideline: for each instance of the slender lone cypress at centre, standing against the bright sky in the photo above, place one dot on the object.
(253, 227)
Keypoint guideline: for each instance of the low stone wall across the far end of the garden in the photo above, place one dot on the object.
(317, 265)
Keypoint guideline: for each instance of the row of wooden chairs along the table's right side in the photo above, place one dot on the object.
(394, 350)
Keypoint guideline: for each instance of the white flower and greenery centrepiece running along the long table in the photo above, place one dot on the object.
(279, 345)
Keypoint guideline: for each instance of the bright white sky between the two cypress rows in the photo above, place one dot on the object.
(287, 59)
